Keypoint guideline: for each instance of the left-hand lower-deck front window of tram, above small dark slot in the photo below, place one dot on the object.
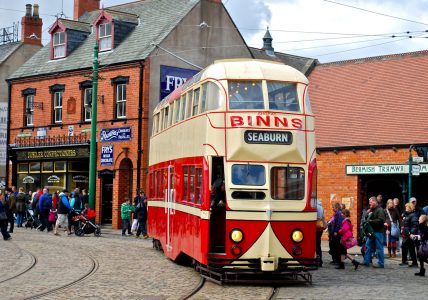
(247, 174)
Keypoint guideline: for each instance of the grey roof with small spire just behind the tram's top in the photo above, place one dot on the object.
(303, 64)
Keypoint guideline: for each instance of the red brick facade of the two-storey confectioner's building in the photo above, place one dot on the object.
(105, 116)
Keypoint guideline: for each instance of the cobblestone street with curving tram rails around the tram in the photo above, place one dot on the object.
(44, 266)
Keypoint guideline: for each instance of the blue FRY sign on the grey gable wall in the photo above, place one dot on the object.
(171, 78)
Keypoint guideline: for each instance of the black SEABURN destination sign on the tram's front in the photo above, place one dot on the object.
(268, 137)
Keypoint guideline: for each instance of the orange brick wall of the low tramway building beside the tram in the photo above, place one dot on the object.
(335, 185)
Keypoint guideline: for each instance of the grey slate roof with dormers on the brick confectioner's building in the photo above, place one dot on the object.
(157, 19)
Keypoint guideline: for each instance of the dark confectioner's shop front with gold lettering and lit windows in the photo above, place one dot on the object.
(57, 169)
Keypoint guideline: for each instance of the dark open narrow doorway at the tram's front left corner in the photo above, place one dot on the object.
(218, 207)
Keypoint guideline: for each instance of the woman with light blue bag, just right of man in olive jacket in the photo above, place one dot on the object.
(392, 227)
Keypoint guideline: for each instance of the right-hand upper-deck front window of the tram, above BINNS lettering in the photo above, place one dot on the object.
(283, 96)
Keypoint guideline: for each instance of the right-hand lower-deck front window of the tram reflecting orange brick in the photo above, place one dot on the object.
(287, 183)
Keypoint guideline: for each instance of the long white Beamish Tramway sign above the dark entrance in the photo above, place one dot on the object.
(382, 169)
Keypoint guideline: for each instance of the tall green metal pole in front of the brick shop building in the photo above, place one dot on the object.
(93, 147)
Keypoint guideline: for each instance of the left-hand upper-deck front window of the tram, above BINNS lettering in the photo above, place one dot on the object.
(245, 95)
